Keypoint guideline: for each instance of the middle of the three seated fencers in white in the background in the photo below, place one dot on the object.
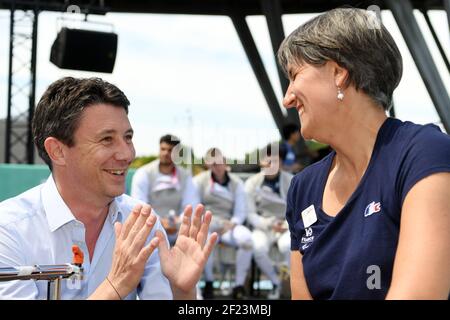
(224, 193)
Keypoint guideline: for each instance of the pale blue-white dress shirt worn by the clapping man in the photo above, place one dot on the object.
(37, 227)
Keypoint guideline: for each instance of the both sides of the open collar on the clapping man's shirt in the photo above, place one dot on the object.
(59, 214)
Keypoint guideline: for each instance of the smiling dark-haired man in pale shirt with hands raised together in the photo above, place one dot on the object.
(81, 130)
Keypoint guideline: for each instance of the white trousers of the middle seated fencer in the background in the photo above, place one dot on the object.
(239, 237)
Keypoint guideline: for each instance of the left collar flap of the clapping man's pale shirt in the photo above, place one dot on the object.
(56, 210)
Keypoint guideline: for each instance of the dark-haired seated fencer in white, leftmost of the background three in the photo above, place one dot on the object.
(168, 187)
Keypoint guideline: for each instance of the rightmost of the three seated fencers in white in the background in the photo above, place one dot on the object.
(266, 193)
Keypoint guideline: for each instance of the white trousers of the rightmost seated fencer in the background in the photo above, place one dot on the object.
(262, 241)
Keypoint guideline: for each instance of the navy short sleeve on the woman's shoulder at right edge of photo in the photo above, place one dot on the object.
(428, 153)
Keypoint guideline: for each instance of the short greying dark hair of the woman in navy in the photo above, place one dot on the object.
(357, 41)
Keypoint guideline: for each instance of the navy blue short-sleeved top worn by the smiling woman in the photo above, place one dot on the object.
(351, 256)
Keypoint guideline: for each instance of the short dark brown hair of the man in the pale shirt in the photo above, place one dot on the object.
(59, 111)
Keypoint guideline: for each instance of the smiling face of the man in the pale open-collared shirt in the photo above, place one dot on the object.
(102, 153)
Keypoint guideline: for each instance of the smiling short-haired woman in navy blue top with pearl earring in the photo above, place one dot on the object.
(372, 219)
